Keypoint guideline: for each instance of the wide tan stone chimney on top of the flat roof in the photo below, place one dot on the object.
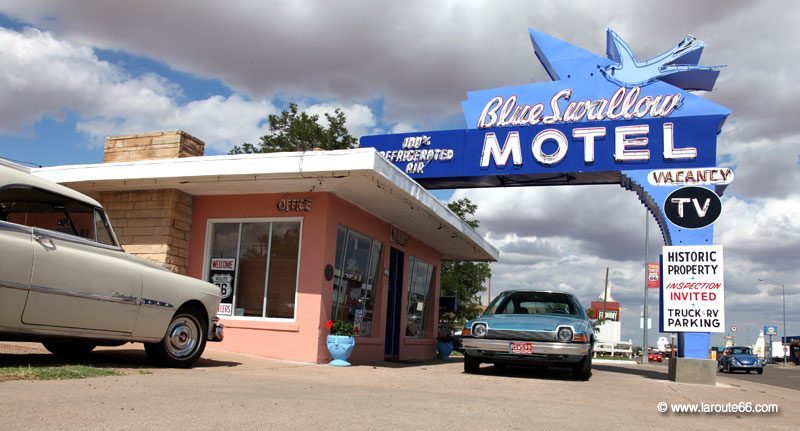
(148, 146)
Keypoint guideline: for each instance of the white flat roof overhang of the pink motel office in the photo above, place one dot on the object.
(359, 176)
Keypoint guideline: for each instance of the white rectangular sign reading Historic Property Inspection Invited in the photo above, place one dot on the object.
(693, 295)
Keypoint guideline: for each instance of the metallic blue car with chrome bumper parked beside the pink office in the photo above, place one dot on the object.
(531, 328)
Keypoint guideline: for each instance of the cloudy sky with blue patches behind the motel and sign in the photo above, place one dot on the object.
(73, 73)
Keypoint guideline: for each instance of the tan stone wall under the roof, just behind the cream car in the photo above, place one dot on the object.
(153, 224)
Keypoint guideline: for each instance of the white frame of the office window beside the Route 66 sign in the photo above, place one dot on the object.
(241, 220)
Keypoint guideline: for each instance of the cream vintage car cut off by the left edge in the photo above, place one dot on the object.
(66, 282)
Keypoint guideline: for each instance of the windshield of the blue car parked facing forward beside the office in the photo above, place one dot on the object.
(534, 303)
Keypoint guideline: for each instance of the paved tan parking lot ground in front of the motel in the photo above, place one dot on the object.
(242, 392)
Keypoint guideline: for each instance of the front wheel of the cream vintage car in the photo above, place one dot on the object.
(183, 343)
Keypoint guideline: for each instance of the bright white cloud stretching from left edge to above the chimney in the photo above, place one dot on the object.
(45, 76)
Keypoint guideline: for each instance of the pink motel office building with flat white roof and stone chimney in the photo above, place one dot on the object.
(292, 239)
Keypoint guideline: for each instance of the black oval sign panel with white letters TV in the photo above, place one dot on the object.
(692, 207)
